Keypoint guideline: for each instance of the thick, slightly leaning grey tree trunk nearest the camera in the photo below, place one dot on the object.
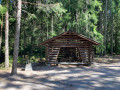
(17, 35)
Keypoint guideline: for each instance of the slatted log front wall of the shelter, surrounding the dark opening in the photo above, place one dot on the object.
(83, 48)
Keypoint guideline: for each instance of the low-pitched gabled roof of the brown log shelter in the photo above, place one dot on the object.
(71, 32)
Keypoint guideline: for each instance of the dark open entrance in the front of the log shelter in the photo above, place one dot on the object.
(72, 54)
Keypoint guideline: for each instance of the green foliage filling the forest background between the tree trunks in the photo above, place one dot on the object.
(82, 16)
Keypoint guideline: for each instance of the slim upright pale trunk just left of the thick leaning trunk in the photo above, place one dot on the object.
(7, 36)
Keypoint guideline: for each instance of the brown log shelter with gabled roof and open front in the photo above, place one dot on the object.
(69, 48)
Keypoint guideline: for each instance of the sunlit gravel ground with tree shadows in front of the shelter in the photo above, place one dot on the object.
(97, 77)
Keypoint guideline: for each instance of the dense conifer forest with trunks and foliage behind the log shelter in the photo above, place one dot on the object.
(41, 20)
